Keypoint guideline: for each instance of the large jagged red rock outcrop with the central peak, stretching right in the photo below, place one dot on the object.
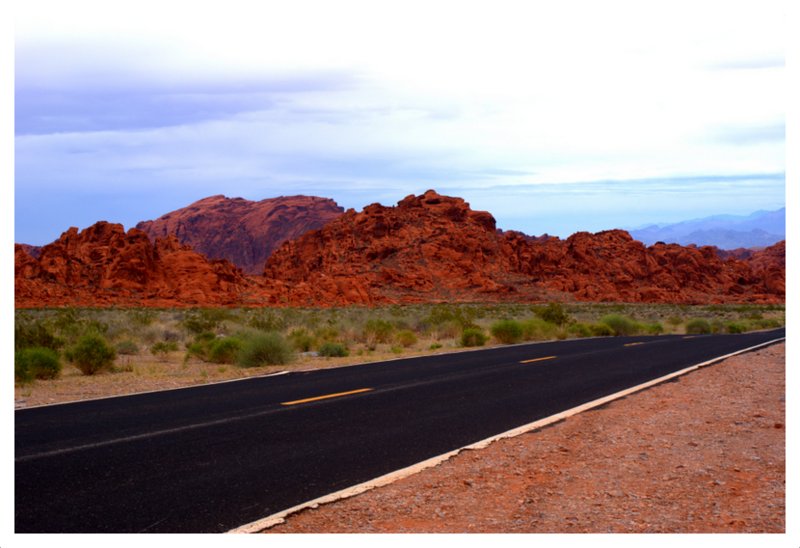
(433, 247)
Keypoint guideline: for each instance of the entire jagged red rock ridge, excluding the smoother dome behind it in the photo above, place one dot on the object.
(427, 248)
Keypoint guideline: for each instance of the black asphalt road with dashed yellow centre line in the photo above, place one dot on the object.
(212, 458)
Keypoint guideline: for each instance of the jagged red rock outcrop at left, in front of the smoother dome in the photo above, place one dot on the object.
(104, 265)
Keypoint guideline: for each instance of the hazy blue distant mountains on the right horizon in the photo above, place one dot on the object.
(759, 229)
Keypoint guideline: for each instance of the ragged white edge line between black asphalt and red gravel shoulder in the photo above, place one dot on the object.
(391, 477)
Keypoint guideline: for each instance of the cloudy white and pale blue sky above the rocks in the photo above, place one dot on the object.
(554, 116)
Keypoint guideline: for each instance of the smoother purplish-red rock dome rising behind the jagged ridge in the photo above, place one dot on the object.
(242, 231)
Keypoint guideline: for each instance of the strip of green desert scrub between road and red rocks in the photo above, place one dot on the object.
(212, 343)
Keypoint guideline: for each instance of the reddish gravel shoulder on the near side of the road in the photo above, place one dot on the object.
(704, 453)
